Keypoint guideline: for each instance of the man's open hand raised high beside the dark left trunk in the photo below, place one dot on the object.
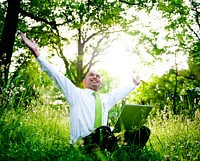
(30, 44)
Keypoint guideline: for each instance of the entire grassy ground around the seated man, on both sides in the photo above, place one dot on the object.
(43, 134)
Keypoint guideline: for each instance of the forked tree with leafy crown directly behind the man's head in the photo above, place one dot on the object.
(91, 22)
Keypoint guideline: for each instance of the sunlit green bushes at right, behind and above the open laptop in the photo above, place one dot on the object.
(159, 92)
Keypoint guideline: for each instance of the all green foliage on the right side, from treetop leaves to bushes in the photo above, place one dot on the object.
(179, 88)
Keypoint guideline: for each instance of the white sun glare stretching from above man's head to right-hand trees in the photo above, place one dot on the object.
(122, 63)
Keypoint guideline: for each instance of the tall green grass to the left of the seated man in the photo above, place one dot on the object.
(40, 133)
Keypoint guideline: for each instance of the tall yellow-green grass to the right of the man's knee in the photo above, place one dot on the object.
(176, 137)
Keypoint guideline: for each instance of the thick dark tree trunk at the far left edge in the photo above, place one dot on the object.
(7, 41)
